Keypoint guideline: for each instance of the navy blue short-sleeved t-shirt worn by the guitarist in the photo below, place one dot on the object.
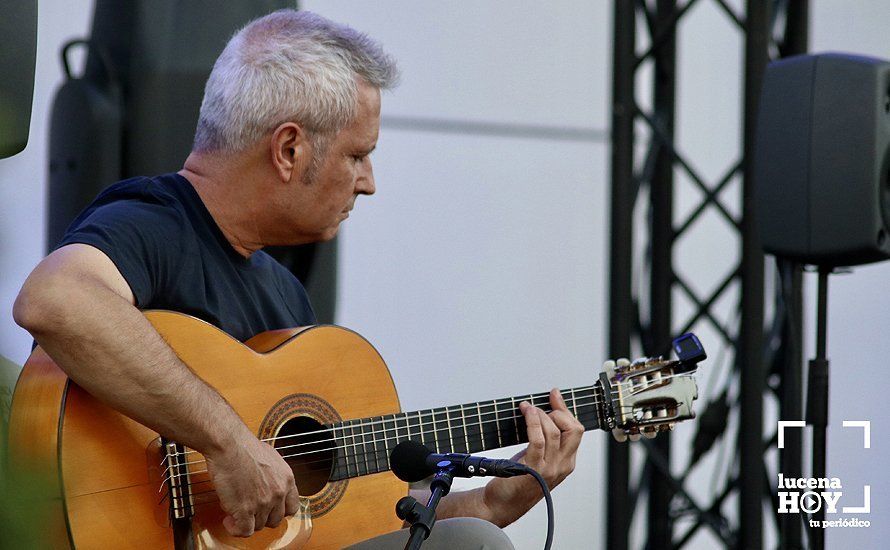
(169, 249)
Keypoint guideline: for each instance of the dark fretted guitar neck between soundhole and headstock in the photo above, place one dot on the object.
(364, 444)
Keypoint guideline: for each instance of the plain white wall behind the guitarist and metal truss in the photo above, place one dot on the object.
(486, 257)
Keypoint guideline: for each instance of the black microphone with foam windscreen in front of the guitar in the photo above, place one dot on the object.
(410, 461)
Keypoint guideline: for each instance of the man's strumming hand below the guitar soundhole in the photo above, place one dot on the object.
(255, 485)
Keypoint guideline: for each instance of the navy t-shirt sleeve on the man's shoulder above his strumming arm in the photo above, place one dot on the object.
(143, 241)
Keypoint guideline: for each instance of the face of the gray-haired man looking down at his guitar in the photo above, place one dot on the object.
(326, 197)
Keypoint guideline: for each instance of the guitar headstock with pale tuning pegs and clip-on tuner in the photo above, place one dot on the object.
(651, 395)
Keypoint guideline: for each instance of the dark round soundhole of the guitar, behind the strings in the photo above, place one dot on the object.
(309, 449)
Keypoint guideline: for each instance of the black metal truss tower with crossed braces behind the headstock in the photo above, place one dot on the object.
(771, 29)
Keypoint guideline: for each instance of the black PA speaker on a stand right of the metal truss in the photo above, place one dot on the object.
(822, 159)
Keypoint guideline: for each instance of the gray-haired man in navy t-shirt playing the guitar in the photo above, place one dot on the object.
(290, 115)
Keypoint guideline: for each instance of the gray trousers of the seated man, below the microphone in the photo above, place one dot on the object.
(448, 534)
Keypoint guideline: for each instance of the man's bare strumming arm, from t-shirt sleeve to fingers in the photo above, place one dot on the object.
(81, 311)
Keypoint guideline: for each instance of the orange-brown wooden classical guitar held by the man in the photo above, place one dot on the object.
(323, 397)
